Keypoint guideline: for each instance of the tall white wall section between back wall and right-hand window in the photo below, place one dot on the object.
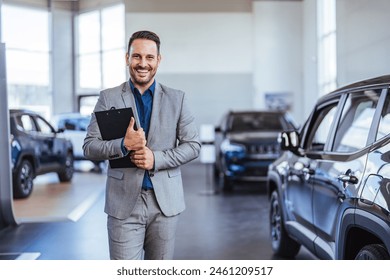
(278, 63)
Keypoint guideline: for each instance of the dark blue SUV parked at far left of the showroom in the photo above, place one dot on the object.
(36, 148)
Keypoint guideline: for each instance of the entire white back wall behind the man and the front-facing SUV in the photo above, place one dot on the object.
(223, 59)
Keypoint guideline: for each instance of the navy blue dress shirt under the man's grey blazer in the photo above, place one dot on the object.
(144, 104)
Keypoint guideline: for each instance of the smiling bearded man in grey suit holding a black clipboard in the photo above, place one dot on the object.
(143, 203)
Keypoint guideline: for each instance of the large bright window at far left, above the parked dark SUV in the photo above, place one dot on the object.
(25, 31)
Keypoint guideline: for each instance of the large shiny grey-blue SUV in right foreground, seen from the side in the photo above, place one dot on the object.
(330, 190)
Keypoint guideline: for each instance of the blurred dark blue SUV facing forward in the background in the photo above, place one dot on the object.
(246, 143)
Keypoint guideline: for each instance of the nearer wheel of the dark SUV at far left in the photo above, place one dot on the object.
(23, 180)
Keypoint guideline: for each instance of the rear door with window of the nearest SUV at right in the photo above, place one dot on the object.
(339, 172)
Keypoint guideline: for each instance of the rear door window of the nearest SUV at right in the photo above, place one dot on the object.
(355, 122)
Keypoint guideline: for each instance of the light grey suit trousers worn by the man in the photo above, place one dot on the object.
(146, 234)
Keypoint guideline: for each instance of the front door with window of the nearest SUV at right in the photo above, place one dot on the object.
(299, 189)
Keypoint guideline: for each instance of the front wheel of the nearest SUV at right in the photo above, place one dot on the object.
(282, 244)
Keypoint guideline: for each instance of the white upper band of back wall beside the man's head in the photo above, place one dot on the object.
(199, 42)
